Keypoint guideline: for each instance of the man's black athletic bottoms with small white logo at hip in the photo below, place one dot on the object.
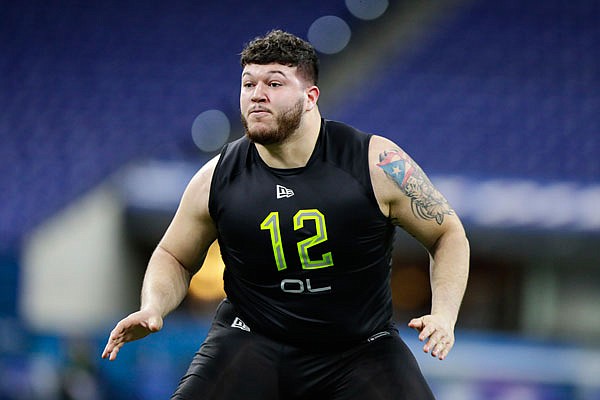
(234, 363)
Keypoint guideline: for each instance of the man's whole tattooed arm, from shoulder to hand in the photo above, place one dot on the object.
(408, 197)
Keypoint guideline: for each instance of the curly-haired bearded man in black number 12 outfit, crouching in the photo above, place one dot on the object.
(304, 210)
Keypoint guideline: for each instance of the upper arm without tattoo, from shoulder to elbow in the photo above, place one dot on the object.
(192, 230)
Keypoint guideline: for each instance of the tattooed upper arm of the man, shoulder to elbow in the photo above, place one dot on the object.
(406, 194)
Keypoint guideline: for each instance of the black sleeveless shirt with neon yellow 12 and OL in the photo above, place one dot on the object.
(307, 251)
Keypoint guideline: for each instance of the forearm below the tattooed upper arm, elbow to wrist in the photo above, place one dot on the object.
(449, 273)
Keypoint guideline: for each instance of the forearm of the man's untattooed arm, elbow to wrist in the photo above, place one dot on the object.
(166, 283)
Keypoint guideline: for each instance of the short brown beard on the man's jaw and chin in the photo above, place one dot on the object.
(286, 123)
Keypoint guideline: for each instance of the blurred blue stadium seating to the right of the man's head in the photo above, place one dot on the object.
(508, 89)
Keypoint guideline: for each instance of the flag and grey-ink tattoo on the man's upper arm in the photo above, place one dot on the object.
(426, 202)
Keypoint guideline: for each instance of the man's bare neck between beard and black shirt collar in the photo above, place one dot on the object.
(297, 149)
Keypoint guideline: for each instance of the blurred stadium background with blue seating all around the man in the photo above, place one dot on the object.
(108, 108)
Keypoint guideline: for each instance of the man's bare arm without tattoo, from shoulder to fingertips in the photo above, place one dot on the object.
(175, 260)
